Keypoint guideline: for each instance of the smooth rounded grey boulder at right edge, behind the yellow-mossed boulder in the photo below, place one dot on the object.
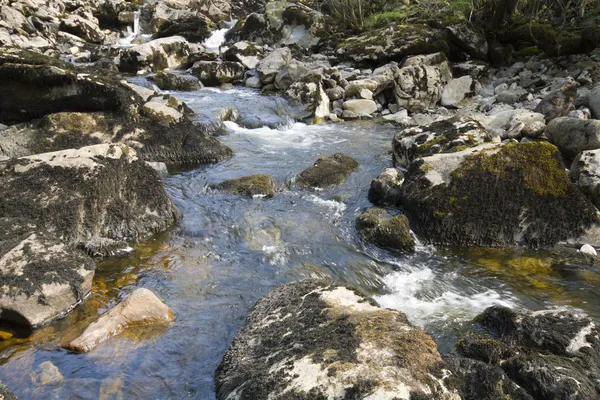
(573, 135)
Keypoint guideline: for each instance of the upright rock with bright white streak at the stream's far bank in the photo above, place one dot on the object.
(310, 92)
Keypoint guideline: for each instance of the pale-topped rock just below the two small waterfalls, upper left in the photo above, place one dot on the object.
(171, 52)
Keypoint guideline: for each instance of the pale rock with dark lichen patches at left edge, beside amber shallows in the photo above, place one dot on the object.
(42, 278)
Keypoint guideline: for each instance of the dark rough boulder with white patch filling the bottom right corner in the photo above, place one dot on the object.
(548, 354)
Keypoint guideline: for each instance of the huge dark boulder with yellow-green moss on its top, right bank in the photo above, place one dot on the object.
(495, 195)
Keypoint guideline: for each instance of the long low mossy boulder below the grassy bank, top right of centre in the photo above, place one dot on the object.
(393, 43)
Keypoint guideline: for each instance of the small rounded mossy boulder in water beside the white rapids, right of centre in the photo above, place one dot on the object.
(378, 226)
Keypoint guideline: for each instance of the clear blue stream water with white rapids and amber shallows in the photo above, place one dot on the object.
(228, 251)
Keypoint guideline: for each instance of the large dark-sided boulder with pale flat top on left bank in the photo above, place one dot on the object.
(100, 191)
